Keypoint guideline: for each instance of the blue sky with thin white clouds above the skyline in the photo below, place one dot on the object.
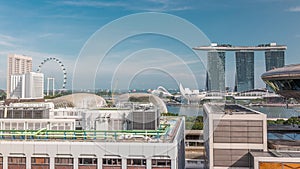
(73, 30)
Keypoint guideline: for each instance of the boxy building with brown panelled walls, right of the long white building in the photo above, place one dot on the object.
(230, 133)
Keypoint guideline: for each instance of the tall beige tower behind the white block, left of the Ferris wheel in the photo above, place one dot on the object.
(16, 65)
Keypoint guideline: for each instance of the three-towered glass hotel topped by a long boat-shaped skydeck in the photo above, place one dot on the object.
(244, 55)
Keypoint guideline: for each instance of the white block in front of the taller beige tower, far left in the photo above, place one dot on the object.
(27, 86)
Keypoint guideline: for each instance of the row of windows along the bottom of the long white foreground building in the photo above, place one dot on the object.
(86, 161)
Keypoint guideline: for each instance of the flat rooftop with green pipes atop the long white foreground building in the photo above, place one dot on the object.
(165, 134)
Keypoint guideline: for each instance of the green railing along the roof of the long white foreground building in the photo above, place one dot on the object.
(114, 135)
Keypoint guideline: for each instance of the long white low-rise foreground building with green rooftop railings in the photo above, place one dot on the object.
(50, 138)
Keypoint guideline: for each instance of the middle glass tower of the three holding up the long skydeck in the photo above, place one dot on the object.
(244, 71)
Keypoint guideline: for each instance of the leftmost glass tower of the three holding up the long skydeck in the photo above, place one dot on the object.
(215, 78)
